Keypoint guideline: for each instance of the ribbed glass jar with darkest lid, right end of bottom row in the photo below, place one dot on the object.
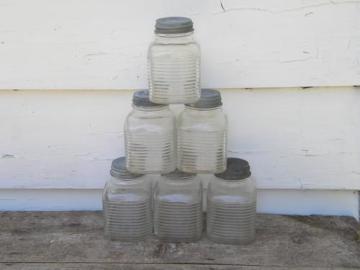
(231, 204)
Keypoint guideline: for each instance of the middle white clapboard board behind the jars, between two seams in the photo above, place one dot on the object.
(294, 138)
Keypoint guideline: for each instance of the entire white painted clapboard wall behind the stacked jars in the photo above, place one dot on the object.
(302, 143)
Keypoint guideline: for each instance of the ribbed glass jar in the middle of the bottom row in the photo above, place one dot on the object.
(178, 207)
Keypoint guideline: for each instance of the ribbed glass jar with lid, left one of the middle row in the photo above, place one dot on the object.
(150, 136)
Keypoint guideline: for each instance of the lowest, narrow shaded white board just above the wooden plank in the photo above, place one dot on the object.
(299, 202)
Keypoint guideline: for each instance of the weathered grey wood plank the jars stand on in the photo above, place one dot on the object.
(77, 237)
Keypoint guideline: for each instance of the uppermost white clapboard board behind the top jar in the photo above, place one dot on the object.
(102, 44)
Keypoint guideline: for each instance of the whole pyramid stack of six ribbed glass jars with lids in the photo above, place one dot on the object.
(174, 152)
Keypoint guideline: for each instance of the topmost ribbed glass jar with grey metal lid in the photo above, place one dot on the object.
(174, 62)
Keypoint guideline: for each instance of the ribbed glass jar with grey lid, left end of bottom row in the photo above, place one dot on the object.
(127, 204)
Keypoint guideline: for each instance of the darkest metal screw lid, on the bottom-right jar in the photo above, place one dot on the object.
(237, 169)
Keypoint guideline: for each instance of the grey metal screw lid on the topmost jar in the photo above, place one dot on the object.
(173, 25)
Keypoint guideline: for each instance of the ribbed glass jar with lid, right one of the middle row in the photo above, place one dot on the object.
(202, 135)
